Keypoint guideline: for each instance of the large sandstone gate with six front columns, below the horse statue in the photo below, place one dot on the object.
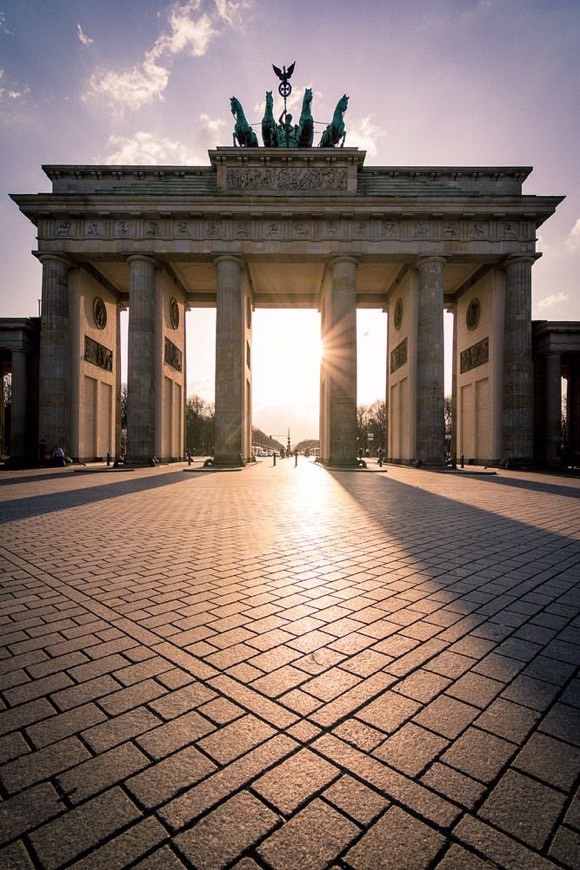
(287, 227)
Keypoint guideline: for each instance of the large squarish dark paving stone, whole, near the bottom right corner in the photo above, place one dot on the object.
(523, 807)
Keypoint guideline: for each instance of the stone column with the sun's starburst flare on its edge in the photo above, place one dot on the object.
(341, 362)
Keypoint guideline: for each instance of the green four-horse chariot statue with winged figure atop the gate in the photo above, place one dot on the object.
(285, 134)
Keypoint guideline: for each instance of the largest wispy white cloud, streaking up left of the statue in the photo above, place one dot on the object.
(191, 31)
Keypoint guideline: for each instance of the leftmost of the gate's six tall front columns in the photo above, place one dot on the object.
(54, 357)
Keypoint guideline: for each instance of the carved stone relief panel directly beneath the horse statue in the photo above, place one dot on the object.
(270, 178)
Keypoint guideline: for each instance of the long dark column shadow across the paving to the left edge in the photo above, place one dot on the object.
(23, 508)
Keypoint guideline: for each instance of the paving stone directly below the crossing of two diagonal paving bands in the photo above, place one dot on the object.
(295, 780)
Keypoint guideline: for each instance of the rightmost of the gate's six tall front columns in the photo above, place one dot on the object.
(517, 368)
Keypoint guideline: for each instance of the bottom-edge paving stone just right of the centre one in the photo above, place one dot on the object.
(411, 844)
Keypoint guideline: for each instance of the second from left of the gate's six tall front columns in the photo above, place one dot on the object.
(141, 360)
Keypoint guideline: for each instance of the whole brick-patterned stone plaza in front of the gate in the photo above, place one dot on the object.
(289, 667)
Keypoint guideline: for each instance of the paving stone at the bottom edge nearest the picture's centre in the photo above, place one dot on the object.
(312, 839)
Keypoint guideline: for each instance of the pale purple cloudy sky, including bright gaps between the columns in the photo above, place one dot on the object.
(430, 82)
